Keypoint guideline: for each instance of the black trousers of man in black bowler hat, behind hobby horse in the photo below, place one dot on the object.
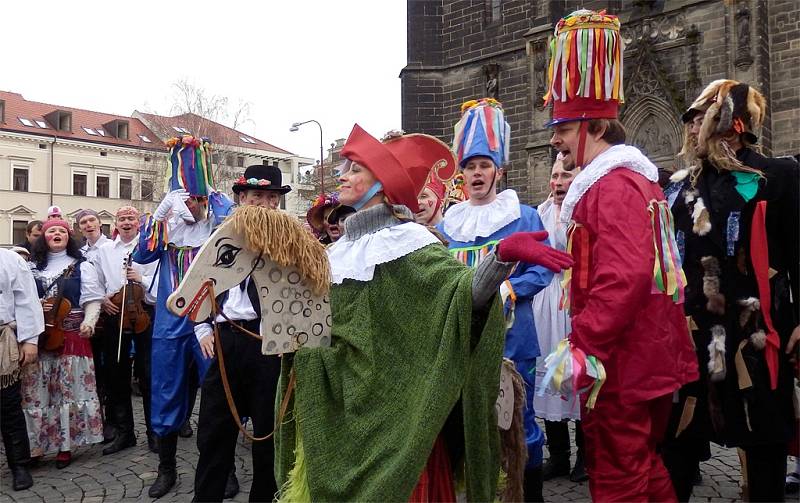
(253, 379)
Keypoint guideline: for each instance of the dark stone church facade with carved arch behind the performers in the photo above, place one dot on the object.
(459, 50)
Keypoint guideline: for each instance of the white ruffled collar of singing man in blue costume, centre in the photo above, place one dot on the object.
(465, 222)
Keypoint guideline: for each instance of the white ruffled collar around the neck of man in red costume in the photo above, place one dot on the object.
(618, 156)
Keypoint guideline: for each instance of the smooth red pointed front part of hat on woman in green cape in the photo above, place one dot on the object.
(366, 150)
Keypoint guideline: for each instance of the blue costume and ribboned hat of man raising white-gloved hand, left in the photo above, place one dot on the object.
(173, 242)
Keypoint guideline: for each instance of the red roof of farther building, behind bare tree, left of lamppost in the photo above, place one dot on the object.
(218, 133)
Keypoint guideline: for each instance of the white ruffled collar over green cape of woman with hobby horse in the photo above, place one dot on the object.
(356, 259)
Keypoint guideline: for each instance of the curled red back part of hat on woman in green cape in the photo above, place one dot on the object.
(428, 160)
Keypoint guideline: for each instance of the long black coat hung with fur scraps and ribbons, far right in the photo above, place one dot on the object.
(754, 415)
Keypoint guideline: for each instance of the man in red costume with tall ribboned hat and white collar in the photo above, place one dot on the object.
(626, 287)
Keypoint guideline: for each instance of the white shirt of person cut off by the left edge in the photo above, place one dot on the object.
(19, 300)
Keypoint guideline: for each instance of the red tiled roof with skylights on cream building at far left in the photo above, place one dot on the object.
(17, 107)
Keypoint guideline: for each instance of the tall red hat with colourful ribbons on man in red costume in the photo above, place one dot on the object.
(585, 70)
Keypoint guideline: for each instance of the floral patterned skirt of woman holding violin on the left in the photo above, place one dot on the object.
(59, 398)
